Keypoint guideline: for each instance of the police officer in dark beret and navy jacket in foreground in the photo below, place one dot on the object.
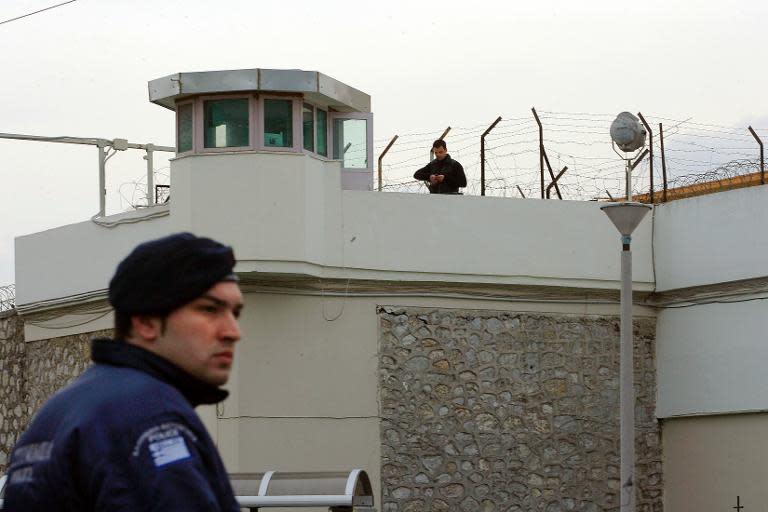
(124, 435)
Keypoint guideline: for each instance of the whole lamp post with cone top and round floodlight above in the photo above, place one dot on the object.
(629, 136)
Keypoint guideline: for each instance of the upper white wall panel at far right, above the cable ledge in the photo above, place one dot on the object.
(712, 239)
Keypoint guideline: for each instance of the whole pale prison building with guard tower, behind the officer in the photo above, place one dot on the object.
(278, 164)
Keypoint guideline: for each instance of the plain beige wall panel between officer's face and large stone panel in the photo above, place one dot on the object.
(295, 360)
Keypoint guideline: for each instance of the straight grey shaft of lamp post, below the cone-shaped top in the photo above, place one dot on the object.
(627, 387)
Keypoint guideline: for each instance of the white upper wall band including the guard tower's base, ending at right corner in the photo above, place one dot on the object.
(287, 214)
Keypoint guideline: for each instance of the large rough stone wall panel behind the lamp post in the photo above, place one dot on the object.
(497, 411)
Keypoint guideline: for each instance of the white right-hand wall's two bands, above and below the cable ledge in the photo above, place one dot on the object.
(711, 358)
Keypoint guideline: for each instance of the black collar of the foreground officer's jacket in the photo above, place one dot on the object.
(121, 353)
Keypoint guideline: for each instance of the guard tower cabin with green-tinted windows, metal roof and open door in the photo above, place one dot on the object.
(279, 112)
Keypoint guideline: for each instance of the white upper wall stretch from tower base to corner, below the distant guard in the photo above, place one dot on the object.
(489, 239)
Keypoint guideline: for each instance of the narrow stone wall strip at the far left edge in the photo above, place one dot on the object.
(13, 410)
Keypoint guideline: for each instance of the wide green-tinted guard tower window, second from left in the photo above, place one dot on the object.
(226, 123)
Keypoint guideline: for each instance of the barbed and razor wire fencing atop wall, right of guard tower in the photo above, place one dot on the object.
(695, 153)
